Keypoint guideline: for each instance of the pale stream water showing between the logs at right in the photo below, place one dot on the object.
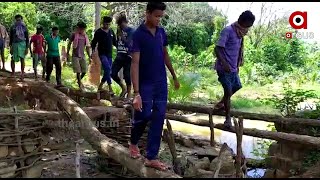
(248, 143)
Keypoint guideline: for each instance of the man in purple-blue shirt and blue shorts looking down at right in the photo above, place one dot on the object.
(229, 53)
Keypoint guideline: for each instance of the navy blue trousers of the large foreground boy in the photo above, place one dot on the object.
(154, 105)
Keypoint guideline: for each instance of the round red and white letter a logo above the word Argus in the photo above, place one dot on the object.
(298, 20)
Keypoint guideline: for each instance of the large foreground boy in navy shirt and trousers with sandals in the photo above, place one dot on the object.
(148, 72)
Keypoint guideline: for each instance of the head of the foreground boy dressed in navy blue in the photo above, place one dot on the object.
(154, 13)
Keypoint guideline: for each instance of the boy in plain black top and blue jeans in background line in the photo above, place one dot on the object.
(105, 38)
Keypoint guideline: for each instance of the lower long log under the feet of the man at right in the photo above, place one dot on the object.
(278, 136)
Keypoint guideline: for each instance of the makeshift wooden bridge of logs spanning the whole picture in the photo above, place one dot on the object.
(107, 146)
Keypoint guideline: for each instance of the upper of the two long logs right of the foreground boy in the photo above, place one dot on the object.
(245, 115)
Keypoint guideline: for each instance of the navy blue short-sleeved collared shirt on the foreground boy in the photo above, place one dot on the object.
(151, 64)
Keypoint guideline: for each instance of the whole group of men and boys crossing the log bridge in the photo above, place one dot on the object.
(143, 55)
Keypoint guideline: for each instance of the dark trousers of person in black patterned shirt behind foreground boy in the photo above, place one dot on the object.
(122, 61)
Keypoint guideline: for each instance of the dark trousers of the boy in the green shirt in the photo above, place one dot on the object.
(49, 67)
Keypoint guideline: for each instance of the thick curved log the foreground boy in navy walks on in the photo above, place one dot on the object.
(102, 143)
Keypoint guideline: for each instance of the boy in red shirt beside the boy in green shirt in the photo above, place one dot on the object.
(38, 52)
